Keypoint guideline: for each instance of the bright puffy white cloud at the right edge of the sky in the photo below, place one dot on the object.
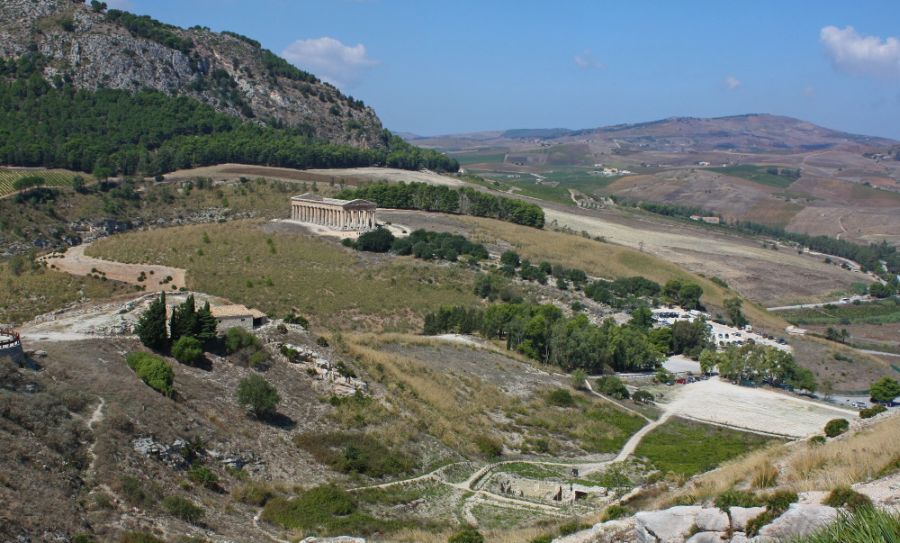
(863, 55)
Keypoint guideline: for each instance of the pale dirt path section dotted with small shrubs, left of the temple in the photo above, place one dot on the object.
(75, 262)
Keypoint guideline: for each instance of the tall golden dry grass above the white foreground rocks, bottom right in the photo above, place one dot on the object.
(854, 457)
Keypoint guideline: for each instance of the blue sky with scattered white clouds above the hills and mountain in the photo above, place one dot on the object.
(440, 67)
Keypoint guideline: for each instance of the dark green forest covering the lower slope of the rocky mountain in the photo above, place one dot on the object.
(113, 132)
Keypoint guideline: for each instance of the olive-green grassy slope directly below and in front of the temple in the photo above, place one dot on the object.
(334, 286)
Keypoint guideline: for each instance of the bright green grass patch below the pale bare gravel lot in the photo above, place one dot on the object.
(686, 448)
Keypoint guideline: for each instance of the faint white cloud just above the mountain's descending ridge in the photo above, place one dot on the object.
(329, 59)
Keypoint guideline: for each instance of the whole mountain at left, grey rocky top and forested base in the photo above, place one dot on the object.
(112, 93)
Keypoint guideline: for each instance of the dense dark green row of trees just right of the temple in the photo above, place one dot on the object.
(466, 201)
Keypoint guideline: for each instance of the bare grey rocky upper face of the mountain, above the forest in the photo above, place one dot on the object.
(231, 73)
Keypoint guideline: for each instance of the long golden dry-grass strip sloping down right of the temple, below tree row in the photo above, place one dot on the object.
(607, 260)
